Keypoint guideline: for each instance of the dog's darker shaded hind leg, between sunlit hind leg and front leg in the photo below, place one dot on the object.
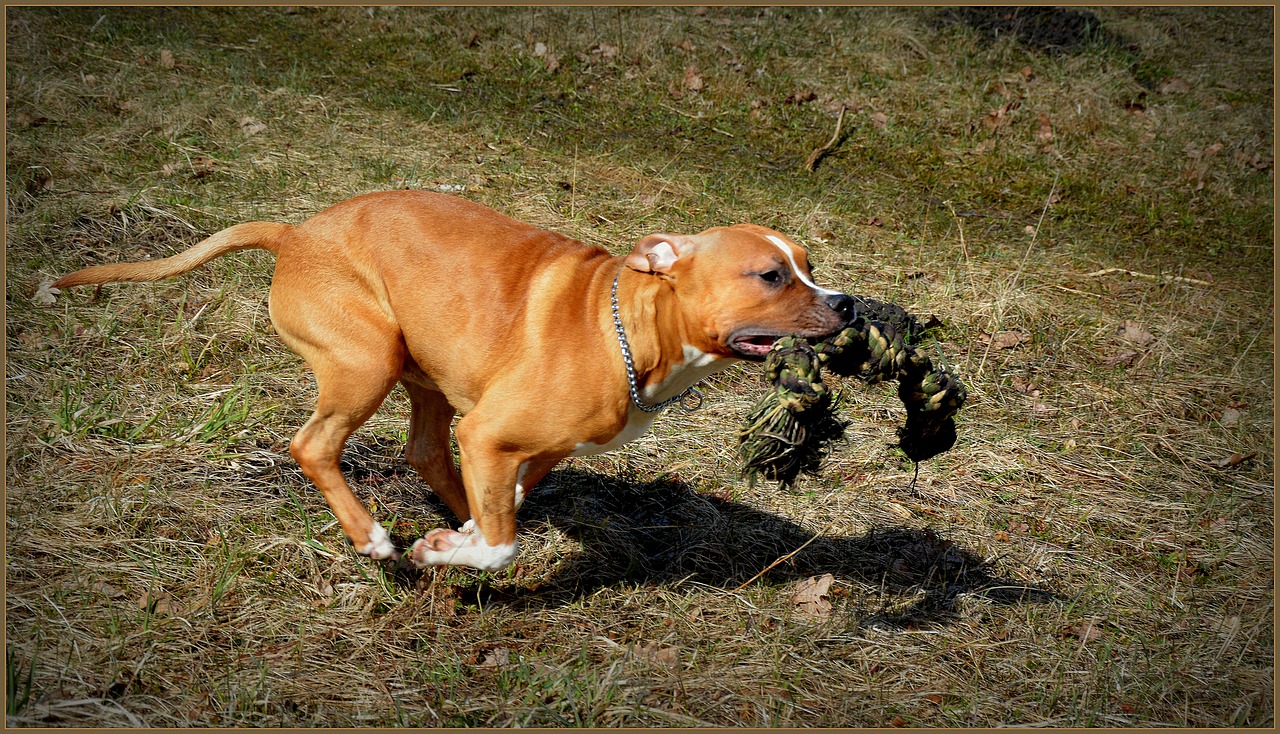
(428, 449)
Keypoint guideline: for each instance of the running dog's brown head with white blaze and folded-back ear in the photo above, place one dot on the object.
(746, 285)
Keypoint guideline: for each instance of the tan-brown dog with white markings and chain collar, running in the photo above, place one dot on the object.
(511, 326)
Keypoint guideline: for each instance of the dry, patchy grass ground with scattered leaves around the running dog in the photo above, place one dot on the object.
(1089, 209)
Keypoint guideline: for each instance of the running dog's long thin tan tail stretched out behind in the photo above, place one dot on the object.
(260, 235)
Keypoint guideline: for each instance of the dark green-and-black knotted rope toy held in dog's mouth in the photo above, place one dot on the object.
(792, 430)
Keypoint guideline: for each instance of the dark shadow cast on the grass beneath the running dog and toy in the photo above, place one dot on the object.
(655, 532)
